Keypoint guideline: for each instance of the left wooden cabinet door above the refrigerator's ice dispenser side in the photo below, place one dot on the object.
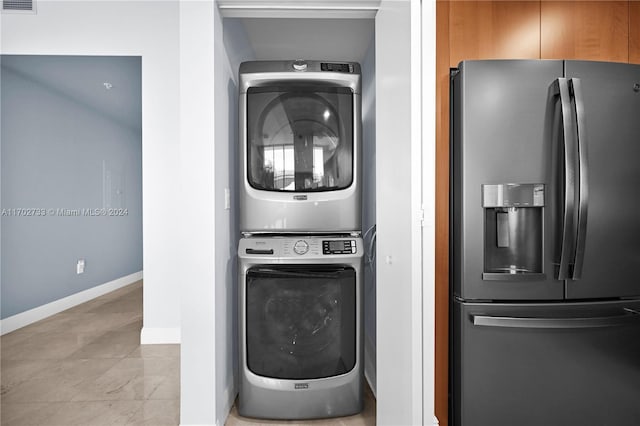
(494, 30)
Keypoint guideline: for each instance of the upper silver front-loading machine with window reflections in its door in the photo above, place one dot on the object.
(300, 146)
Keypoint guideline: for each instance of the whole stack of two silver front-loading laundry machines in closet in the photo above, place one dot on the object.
(300, 258)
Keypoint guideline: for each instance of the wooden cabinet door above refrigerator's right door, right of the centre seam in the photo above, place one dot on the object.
(589, 30)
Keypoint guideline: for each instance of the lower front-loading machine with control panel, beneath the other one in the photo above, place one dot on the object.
(300, 321)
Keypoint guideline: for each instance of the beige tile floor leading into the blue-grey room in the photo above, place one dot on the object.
(85, 366)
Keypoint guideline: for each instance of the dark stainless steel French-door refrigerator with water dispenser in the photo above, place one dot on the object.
(545, 241)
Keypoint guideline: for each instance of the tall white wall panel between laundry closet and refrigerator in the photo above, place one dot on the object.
(398, 192)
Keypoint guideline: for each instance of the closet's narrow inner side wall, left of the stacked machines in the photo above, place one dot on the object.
(231, 48)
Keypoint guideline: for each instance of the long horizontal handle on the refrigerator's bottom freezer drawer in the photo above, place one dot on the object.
(628, 316)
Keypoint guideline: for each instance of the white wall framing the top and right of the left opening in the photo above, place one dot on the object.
(148, 29)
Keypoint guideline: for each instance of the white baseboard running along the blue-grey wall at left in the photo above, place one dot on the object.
(25, 318)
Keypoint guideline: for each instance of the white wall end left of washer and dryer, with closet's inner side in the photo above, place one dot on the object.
(210, 54)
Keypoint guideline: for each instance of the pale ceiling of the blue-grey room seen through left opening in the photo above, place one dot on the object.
(82, 79)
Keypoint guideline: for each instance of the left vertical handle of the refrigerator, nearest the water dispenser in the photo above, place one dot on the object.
(560, 87)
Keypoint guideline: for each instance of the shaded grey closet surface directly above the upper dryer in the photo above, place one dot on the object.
(304, 38)
